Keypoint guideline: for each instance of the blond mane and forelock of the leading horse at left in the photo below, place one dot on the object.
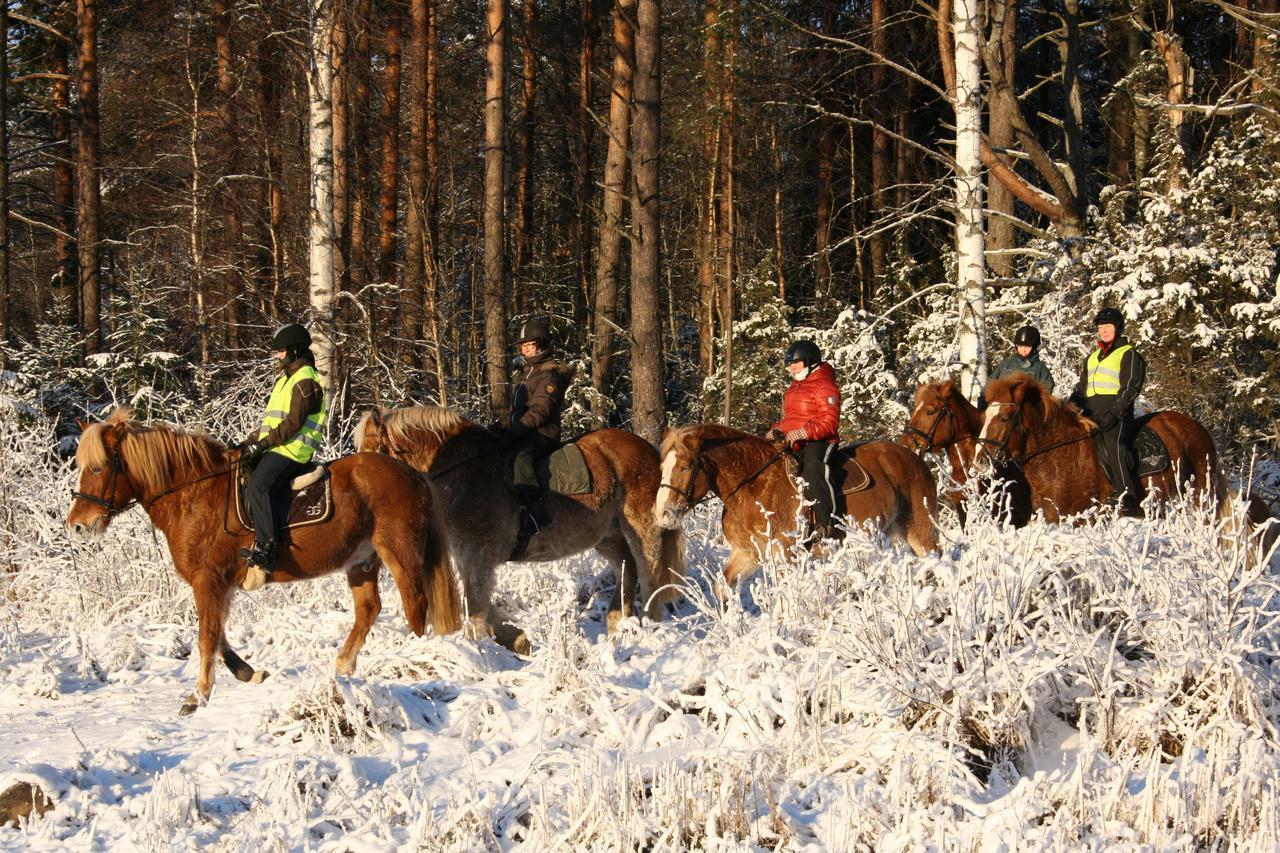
(157, 455)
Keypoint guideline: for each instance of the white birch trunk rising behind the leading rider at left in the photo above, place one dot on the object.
(321, 221)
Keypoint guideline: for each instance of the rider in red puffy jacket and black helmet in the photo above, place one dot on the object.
(811, 427)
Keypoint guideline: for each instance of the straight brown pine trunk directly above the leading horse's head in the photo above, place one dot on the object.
(86, 177)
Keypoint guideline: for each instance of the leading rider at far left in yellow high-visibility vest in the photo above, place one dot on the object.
(290, 435)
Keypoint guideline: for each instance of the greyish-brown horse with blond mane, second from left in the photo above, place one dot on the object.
(467, 468)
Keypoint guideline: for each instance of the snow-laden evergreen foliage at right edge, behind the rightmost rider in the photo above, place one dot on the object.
(1196, 272)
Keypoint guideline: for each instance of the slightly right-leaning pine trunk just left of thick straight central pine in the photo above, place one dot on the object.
(612, 229)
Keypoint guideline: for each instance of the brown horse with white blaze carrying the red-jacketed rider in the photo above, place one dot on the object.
(762, 498)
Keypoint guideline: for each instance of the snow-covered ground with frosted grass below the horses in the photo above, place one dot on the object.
(1114, 686)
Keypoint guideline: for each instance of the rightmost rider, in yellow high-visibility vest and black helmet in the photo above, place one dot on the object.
(1110, 382)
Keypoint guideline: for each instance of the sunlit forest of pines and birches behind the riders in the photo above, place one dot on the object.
(684, 189)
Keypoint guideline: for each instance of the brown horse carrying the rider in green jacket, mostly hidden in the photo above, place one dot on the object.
(944, 419)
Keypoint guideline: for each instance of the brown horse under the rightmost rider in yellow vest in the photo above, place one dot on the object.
(1049, 443)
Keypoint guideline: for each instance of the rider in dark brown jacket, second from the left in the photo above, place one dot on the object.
(534, 427)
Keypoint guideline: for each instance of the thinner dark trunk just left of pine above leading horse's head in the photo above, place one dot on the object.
(66, 280)
